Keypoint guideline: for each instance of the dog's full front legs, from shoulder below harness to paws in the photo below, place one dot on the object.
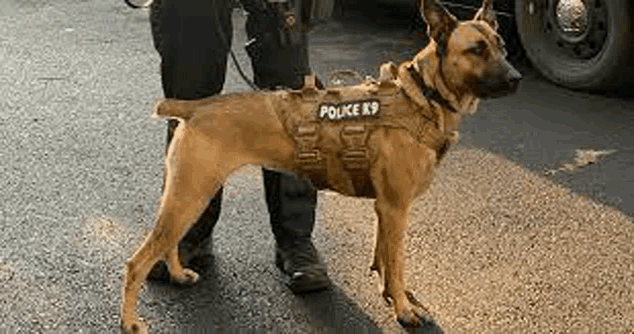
(396, 179)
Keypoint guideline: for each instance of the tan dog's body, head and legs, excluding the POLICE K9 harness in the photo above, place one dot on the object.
(463, 62)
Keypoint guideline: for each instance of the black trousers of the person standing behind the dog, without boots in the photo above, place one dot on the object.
(193, 38)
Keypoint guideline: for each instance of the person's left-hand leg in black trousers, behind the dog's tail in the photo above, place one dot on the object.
(193, 66)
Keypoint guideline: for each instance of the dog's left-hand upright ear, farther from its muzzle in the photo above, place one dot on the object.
(440, 23)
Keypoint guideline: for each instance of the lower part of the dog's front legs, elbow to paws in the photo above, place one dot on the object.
(388, 260)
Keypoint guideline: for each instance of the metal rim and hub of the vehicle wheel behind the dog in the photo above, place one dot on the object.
(576, 28)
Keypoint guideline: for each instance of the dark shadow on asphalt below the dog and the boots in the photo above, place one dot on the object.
(210, 305)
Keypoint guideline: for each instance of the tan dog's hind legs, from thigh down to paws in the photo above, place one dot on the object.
(190, 183)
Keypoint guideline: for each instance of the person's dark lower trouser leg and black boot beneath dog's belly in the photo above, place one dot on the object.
(291, 204)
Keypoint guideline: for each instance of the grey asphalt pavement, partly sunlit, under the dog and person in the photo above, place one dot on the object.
(496, 246)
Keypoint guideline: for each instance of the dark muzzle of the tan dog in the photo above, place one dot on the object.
(502, 81)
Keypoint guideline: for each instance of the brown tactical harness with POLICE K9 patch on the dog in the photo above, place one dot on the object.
(331, 128)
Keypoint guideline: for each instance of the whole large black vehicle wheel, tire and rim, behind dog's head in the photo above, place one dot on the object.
(589, 50)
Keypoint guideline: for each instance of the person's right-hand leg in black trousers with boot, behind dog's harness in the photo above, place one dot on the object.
(291, 201)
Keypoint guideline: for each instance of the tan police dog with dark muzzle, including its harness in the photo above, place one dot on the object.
(380, 139)
